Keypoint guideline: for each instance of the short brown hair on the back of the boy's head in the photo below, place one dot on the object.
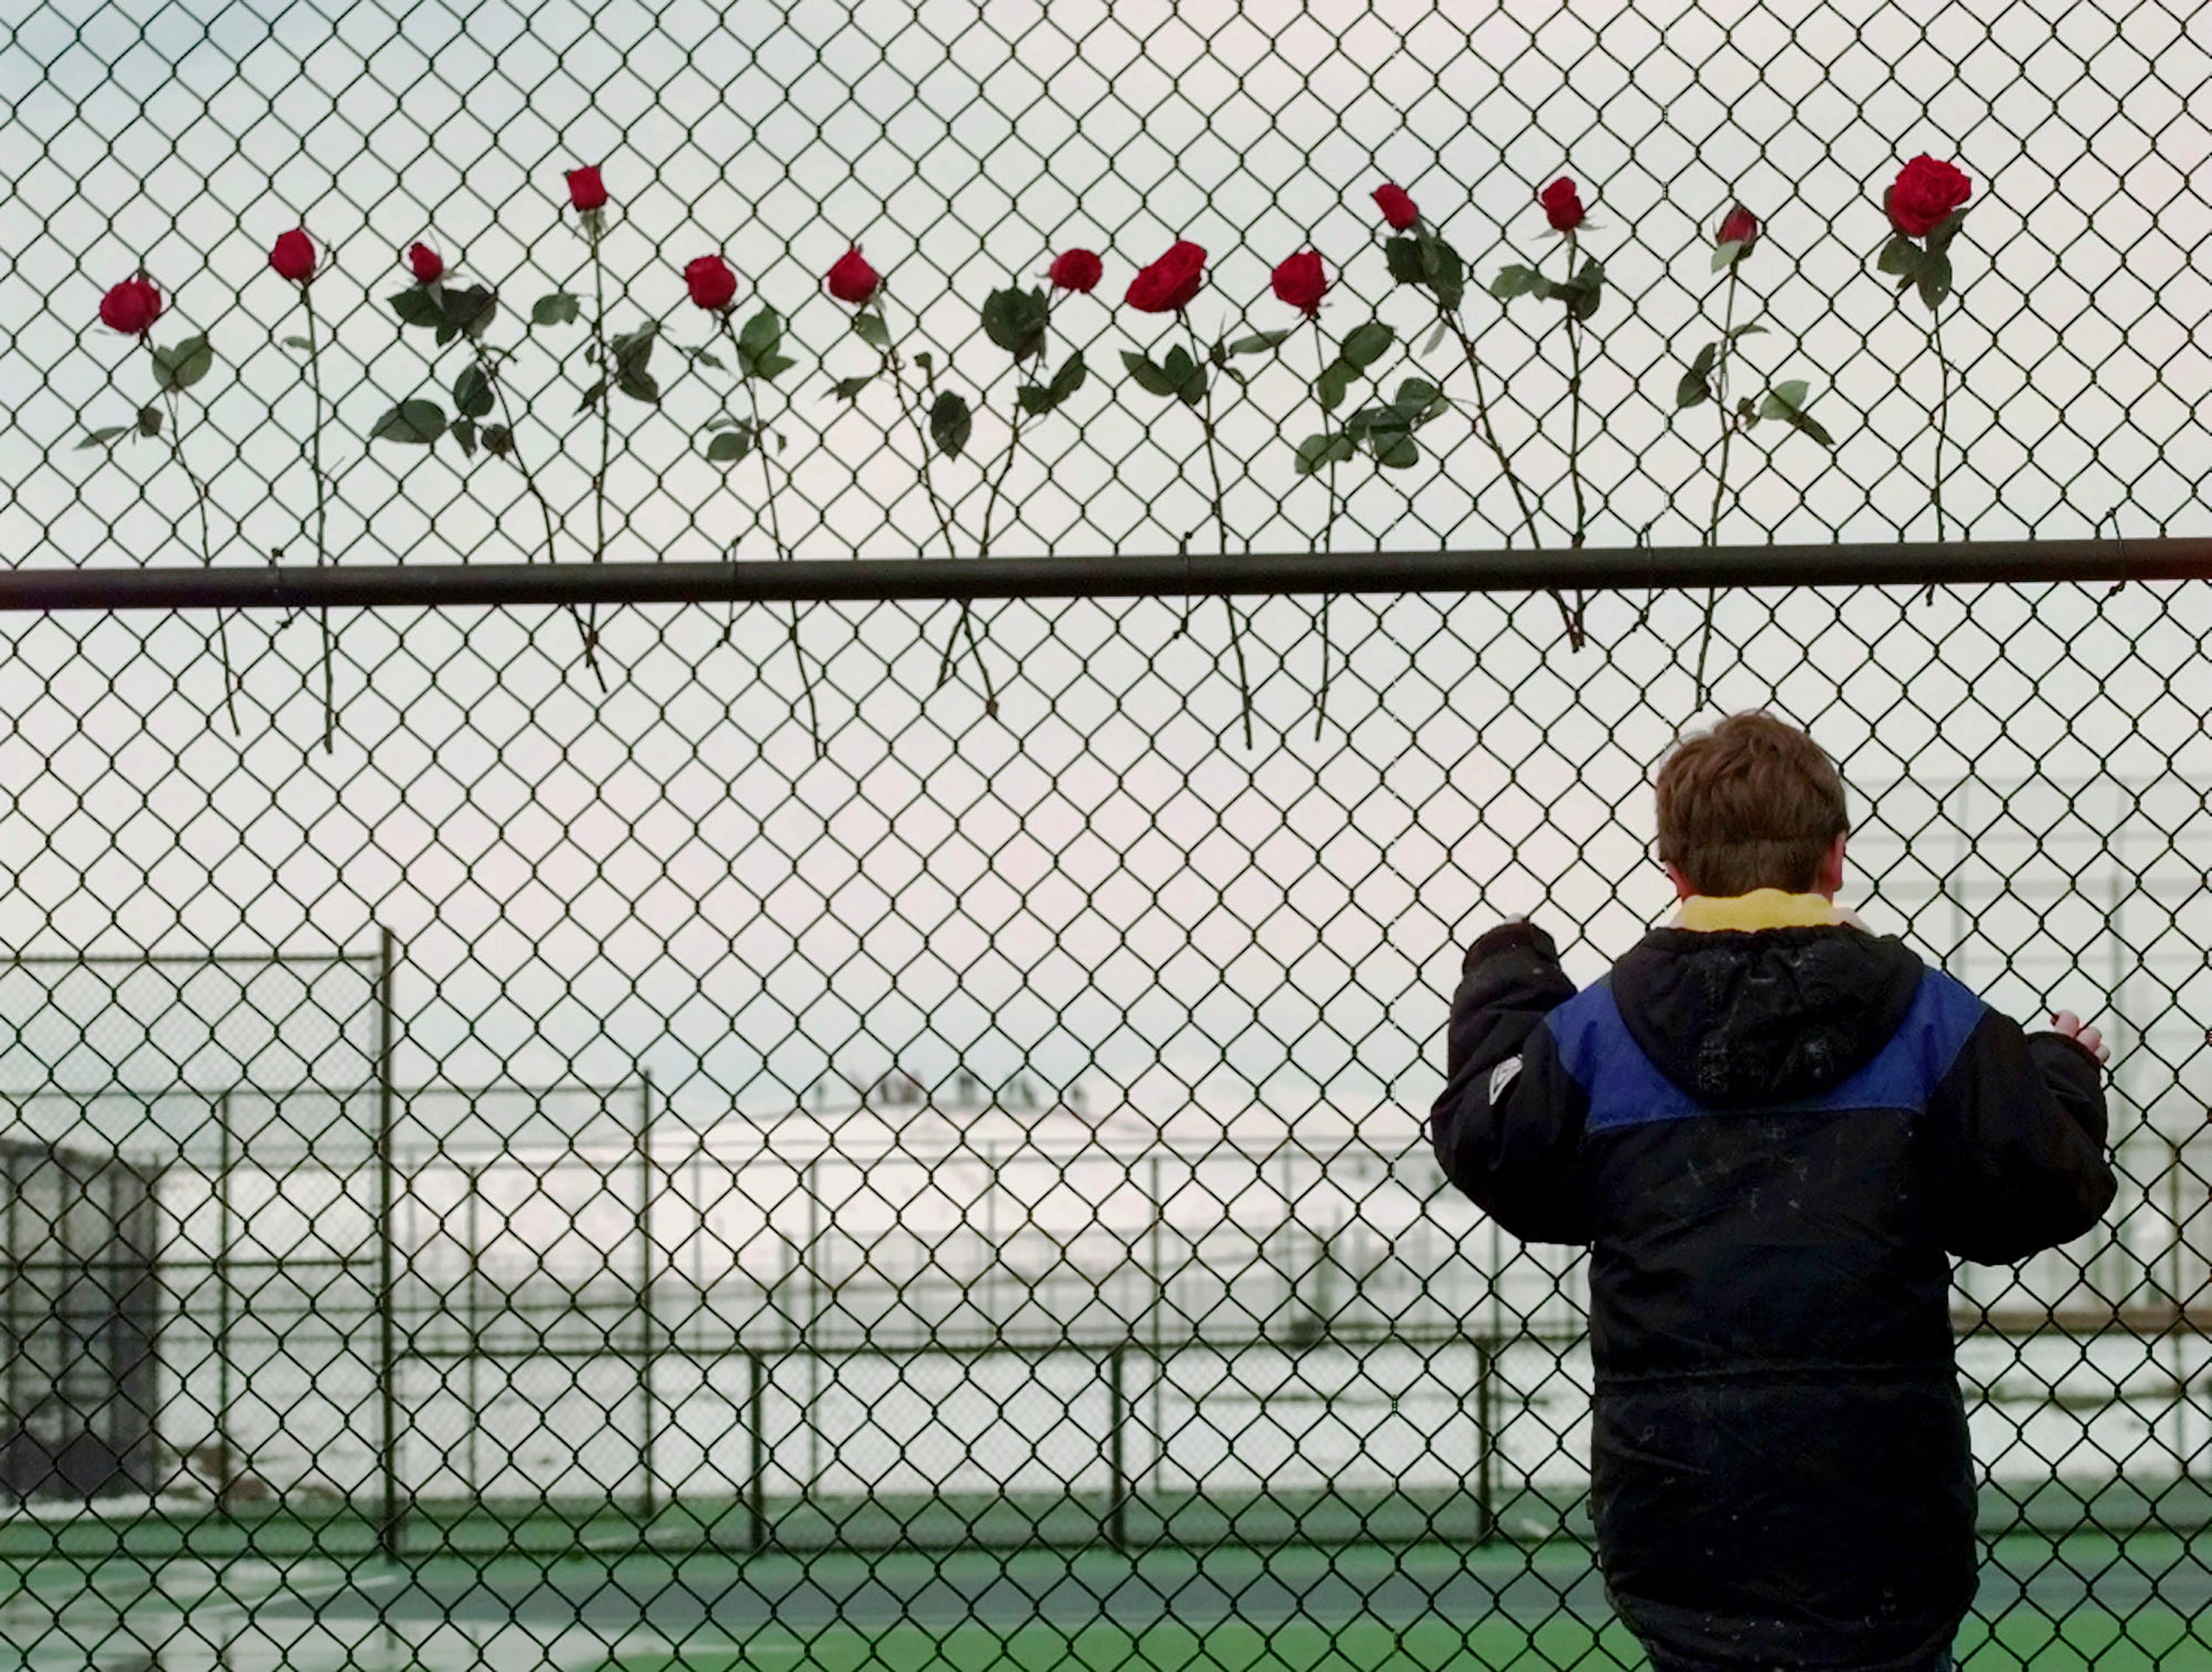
(1753, 804)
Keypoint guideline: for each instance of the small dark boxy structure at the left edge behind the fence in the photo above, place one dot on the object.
(81, 1308)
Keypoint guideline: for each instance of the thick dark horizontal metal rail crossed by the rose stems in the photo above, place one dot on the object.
(295, 587)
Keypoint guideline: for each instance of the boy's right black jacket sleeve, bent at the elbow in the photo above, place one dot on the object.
(2018, 1145)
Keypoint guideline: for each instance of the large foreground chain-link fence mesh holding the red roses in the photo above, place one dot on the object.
(576, 1175)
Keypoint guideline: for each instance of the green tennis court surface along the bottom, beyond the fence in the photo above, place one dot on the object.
(2085, 1602)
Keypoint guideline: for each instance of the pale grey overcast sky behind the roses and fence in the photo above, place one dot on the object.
(1103, 884)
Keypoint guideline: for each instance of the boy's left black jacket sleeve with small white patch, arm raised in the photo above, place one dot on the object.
(1510, 1120)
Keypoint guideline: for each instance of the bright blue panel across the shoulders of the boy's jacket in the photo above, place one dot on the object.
(1627, 1087)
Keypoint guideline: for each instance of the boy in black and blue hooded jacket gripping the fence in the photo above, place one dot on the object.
(1771, 1129)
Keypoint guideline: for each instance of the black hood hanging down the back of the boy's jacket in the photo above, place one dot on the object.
(1768, 1014)
